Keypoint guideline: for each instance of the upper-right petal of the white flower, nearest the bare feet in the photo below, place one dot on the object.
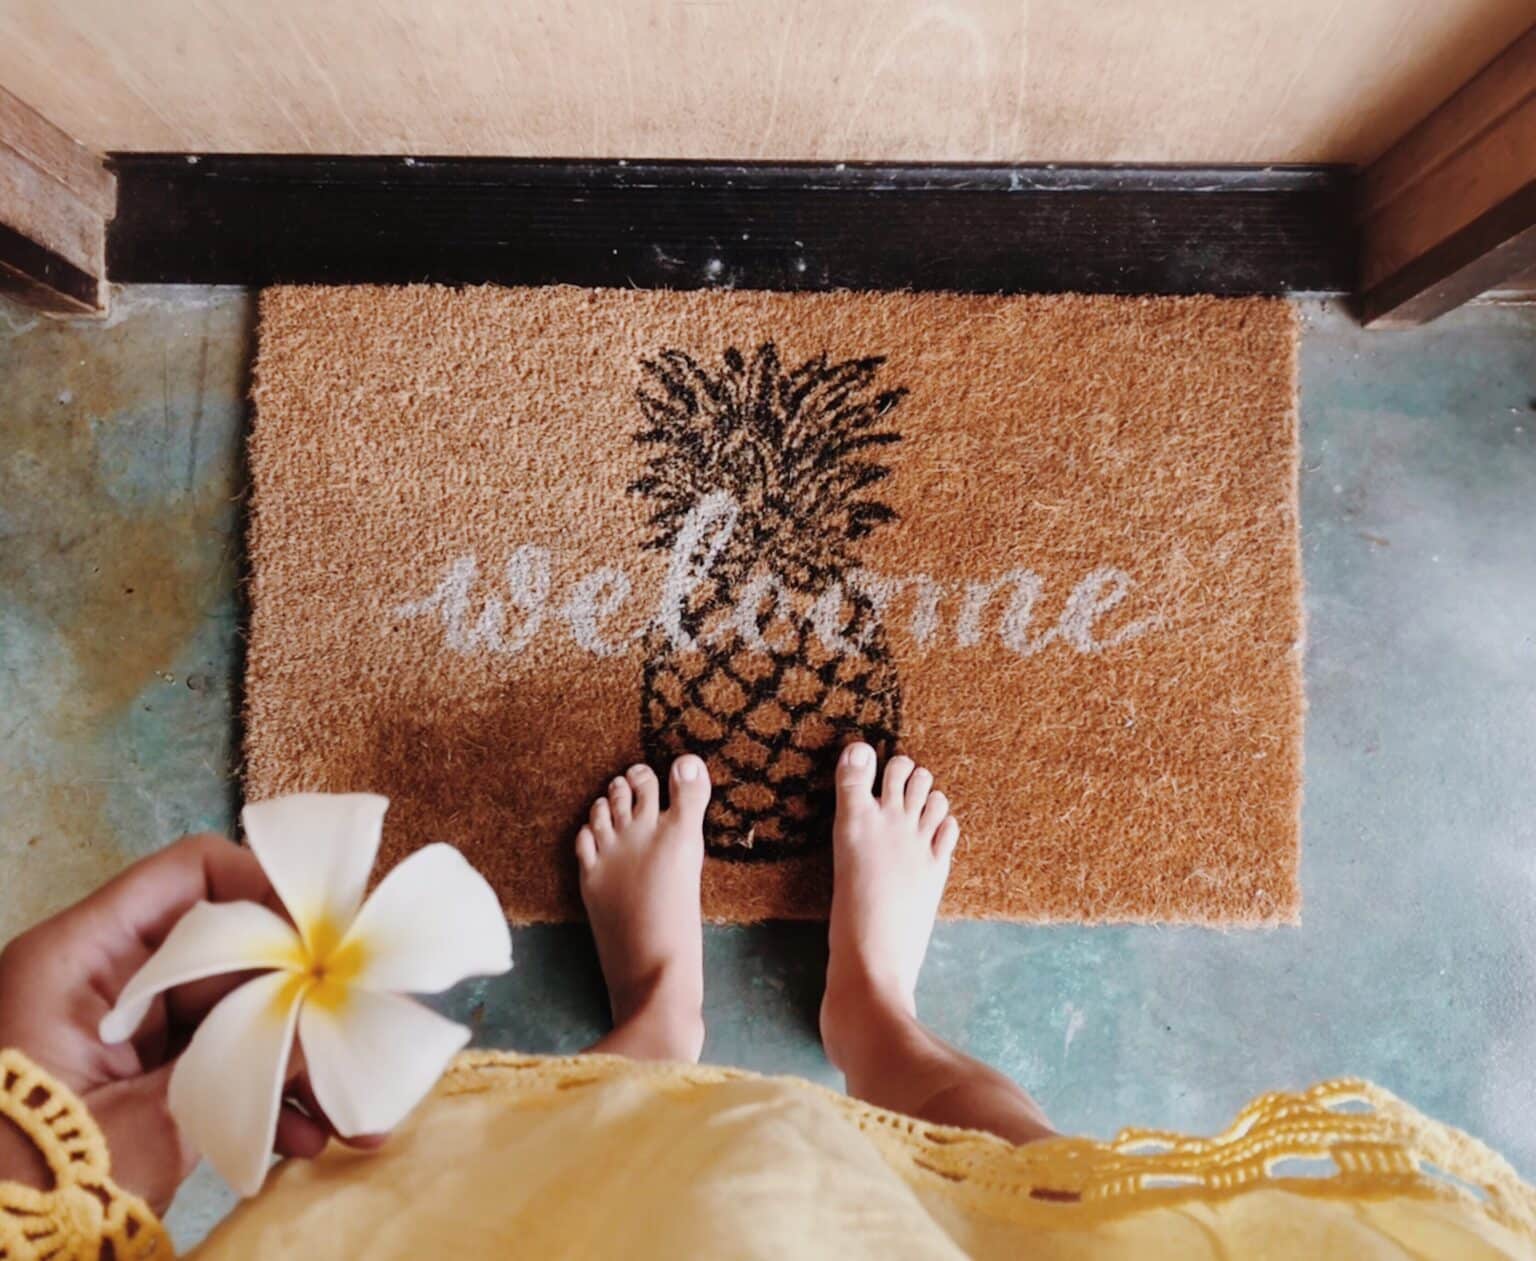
(431, 924)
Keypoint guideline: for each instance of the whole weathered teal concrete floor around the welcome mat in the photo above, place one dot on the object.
(121, 475)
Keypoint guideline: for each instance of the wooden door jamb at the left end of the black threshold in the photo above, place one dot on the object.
(56, 199)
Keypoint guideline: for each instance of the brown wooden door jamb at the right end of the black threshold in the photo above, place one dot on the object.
(1451, 210)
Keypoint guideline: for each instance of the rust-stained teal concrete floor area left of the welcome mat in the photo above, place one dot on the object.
(121, 472)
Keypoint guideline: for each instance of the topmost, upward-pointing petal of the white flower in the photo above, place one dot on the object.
(317, 850)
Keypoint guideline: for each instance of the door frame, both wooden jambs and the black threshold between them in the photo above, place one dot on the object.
(1445, 216)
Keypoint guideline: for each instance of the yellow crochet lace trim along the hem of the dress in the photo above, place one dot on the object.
(1356, 1140)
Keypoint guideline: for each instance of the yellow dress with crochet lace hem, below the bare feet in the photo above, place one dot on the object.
(597, 1157)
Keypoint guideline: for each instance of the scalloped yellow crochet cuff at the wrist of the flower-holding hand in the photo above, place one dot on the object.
(85, 1208)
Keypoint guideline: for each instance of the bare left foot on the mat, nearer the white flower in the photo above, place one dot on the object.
(640, 878)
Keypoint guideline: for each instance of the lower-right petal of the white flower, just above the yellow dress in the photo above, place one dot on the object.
(374, 1057)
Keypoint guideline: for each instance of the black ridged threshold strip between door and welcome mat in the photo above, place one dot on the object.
(208, 219)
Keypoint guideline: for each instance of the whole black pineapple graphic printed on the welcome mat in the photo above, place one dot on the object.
(776, 658)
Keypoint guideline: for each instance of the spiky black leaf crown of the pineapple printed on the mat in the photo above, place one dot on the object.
(795, 448)
